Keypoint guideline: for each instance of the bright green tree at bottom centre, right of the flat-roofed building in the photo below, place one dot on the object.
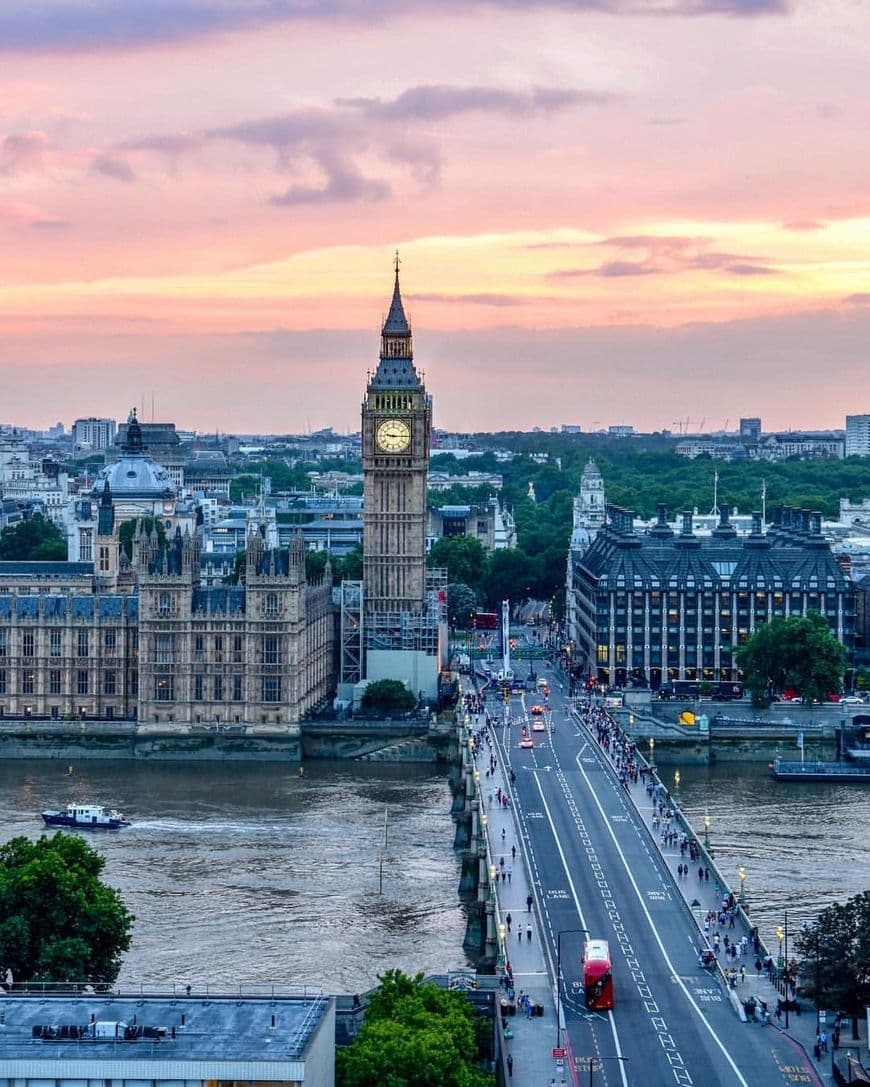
(415, 1035)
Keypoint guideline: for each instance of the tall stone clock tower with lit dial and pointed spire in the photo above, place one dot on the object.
(396, 422)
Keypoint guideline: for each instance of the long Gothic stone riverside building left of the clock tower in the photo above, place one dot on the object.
(141, 638)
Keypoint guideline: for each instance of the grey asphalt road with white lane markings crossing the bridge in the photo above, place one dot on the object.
(595, 869)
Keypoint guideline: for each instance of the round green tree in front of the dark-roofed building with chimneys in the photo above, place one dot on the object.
(798, 653)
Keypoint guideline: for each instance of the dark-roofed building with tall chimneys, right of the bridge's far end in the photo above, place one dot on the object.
(657, 606)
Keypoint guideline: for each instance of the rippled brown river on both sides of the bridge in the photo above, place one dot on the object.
(241, 872)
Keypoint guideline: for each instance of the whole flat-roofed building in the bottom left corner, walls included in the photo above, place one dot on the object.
(173, 1041)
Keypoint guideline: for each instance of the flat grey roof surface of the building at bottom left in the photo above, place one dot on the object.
(237, 1028)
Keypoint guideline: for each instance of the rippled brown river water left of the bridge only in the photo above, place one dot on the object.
(241, 872)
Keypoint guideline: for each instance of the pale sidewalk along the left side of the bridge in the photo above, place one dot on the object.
(527, 1042)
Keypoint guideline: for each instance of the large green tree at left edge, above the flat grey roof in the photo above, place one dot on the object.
(58, 921)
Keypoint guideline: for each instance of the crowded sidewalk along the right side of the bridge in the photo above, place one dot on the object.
(702, 896)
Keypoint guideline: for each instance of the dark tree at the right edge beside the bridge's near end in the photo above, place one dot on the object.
(836, 953)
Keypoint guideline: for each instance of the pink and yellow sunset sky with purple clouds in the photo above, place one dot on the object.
(651, 213)
